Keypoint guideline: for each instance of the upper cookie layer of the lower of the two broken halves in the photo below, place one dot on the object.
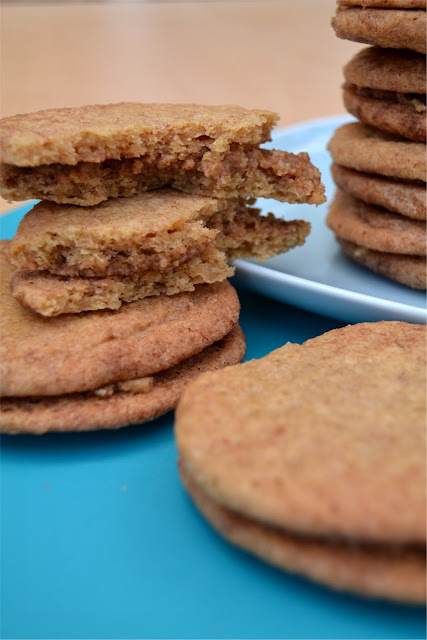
(153, 230)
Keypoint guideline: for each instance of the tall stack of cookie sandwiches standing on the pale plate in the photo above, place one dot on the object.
(379, 212)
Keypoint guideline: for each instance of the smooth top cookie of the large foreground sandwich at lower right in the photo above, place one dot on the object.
(325, 438)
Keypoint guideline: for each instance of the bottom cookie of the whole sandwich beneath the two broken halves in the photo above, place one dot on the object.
(87, 412)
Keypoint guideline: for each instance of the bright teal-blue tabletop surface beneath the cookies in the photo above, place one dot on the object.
(99, 539)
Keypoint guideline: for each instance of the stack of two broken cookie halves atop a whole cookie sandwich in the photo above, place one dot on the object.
(119, 275)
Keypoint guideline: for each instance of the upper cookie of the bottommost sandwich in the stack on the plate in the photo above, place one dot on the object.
(374, 227)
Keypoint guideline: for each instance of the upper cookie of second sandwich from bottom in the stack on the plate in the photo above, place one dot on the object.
(358, 146)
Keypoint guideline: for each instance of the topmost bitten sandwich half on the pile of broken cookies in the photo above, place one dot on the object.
(88, 154)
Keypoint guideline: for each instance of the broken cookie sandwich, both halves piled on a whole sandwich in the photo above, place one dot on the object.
(117, 243)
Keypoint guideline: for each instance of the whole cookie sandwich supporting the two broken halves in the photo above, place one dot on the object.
(109, 369)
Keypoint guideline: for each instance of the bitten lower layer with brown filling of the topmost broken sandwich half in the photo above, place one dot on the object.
(239, 172)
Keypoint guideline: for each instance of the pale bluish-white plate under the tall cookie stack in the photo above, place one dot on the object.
(318, 277)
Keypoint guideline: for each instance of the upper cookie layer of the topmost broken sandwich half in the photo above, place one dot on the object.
(125, 130)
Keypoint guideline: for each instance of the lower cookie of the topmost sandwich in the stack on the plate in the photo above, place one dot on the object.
(388, 28)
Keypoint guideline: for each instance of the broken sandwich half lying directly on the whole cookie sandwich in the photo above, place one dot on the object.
(71, 259)
